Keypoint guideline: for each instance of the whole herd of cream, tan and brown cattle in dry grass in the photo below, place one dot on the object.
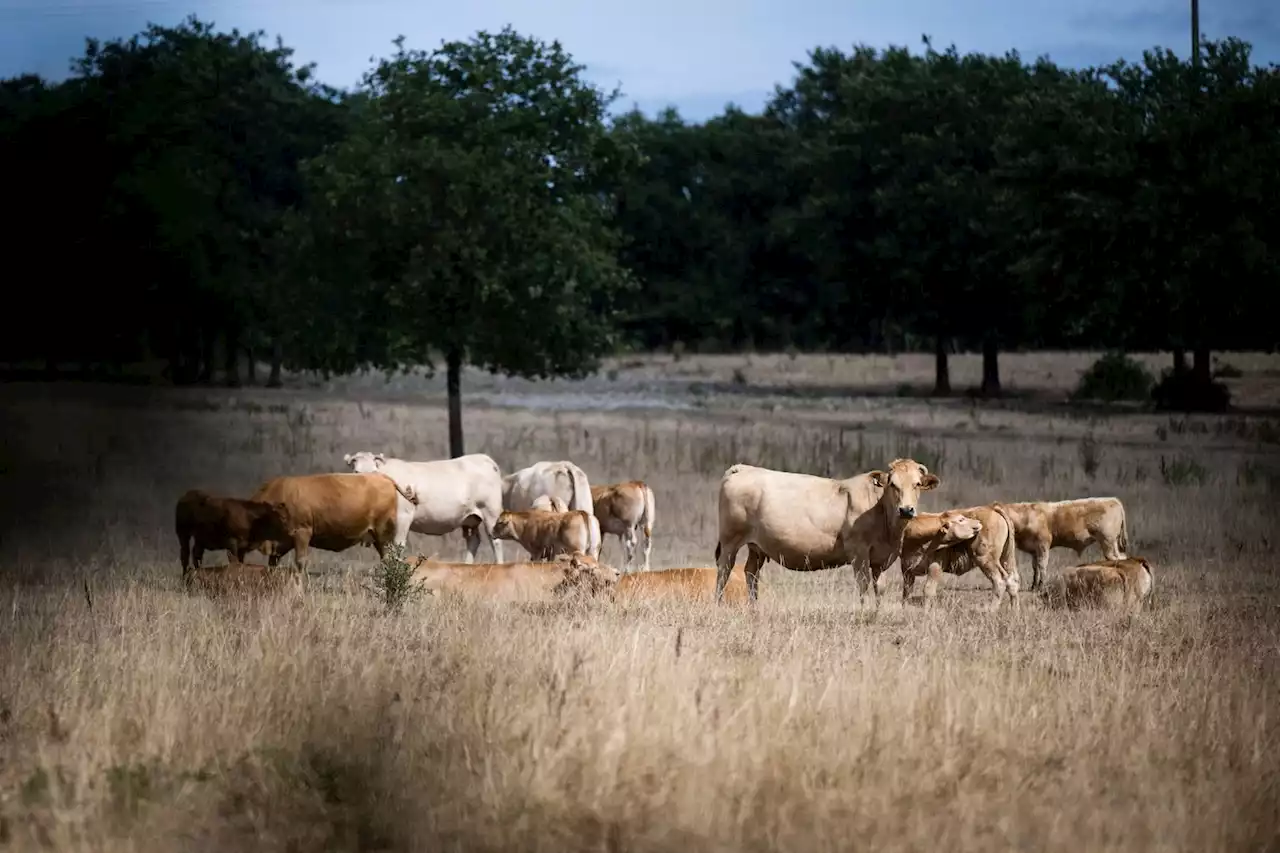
(801, 522)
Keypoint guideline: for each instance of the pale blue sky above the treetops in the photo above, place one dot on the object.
(697, 56)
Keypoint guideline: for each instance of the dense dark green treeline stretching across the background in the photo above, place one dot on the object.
(194, 197)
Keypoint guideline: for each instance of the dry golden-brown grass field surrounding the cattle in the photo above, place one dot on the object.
(135, 717)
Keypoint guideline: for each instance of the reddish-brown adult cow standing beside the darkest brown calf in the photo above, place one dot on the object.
(337, 512)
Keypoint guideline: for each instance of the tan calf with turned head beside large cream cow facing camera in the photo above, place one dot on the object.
(954, 542)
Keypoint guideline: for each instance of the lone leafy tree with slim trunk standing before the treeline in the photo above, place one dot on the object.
(470, 216)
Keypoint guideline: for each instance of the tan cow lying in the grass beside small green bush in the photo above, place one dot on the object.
(572, 573)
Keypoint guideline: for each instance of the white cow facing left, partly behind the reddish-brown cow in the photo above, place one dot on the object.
(464, 492)
